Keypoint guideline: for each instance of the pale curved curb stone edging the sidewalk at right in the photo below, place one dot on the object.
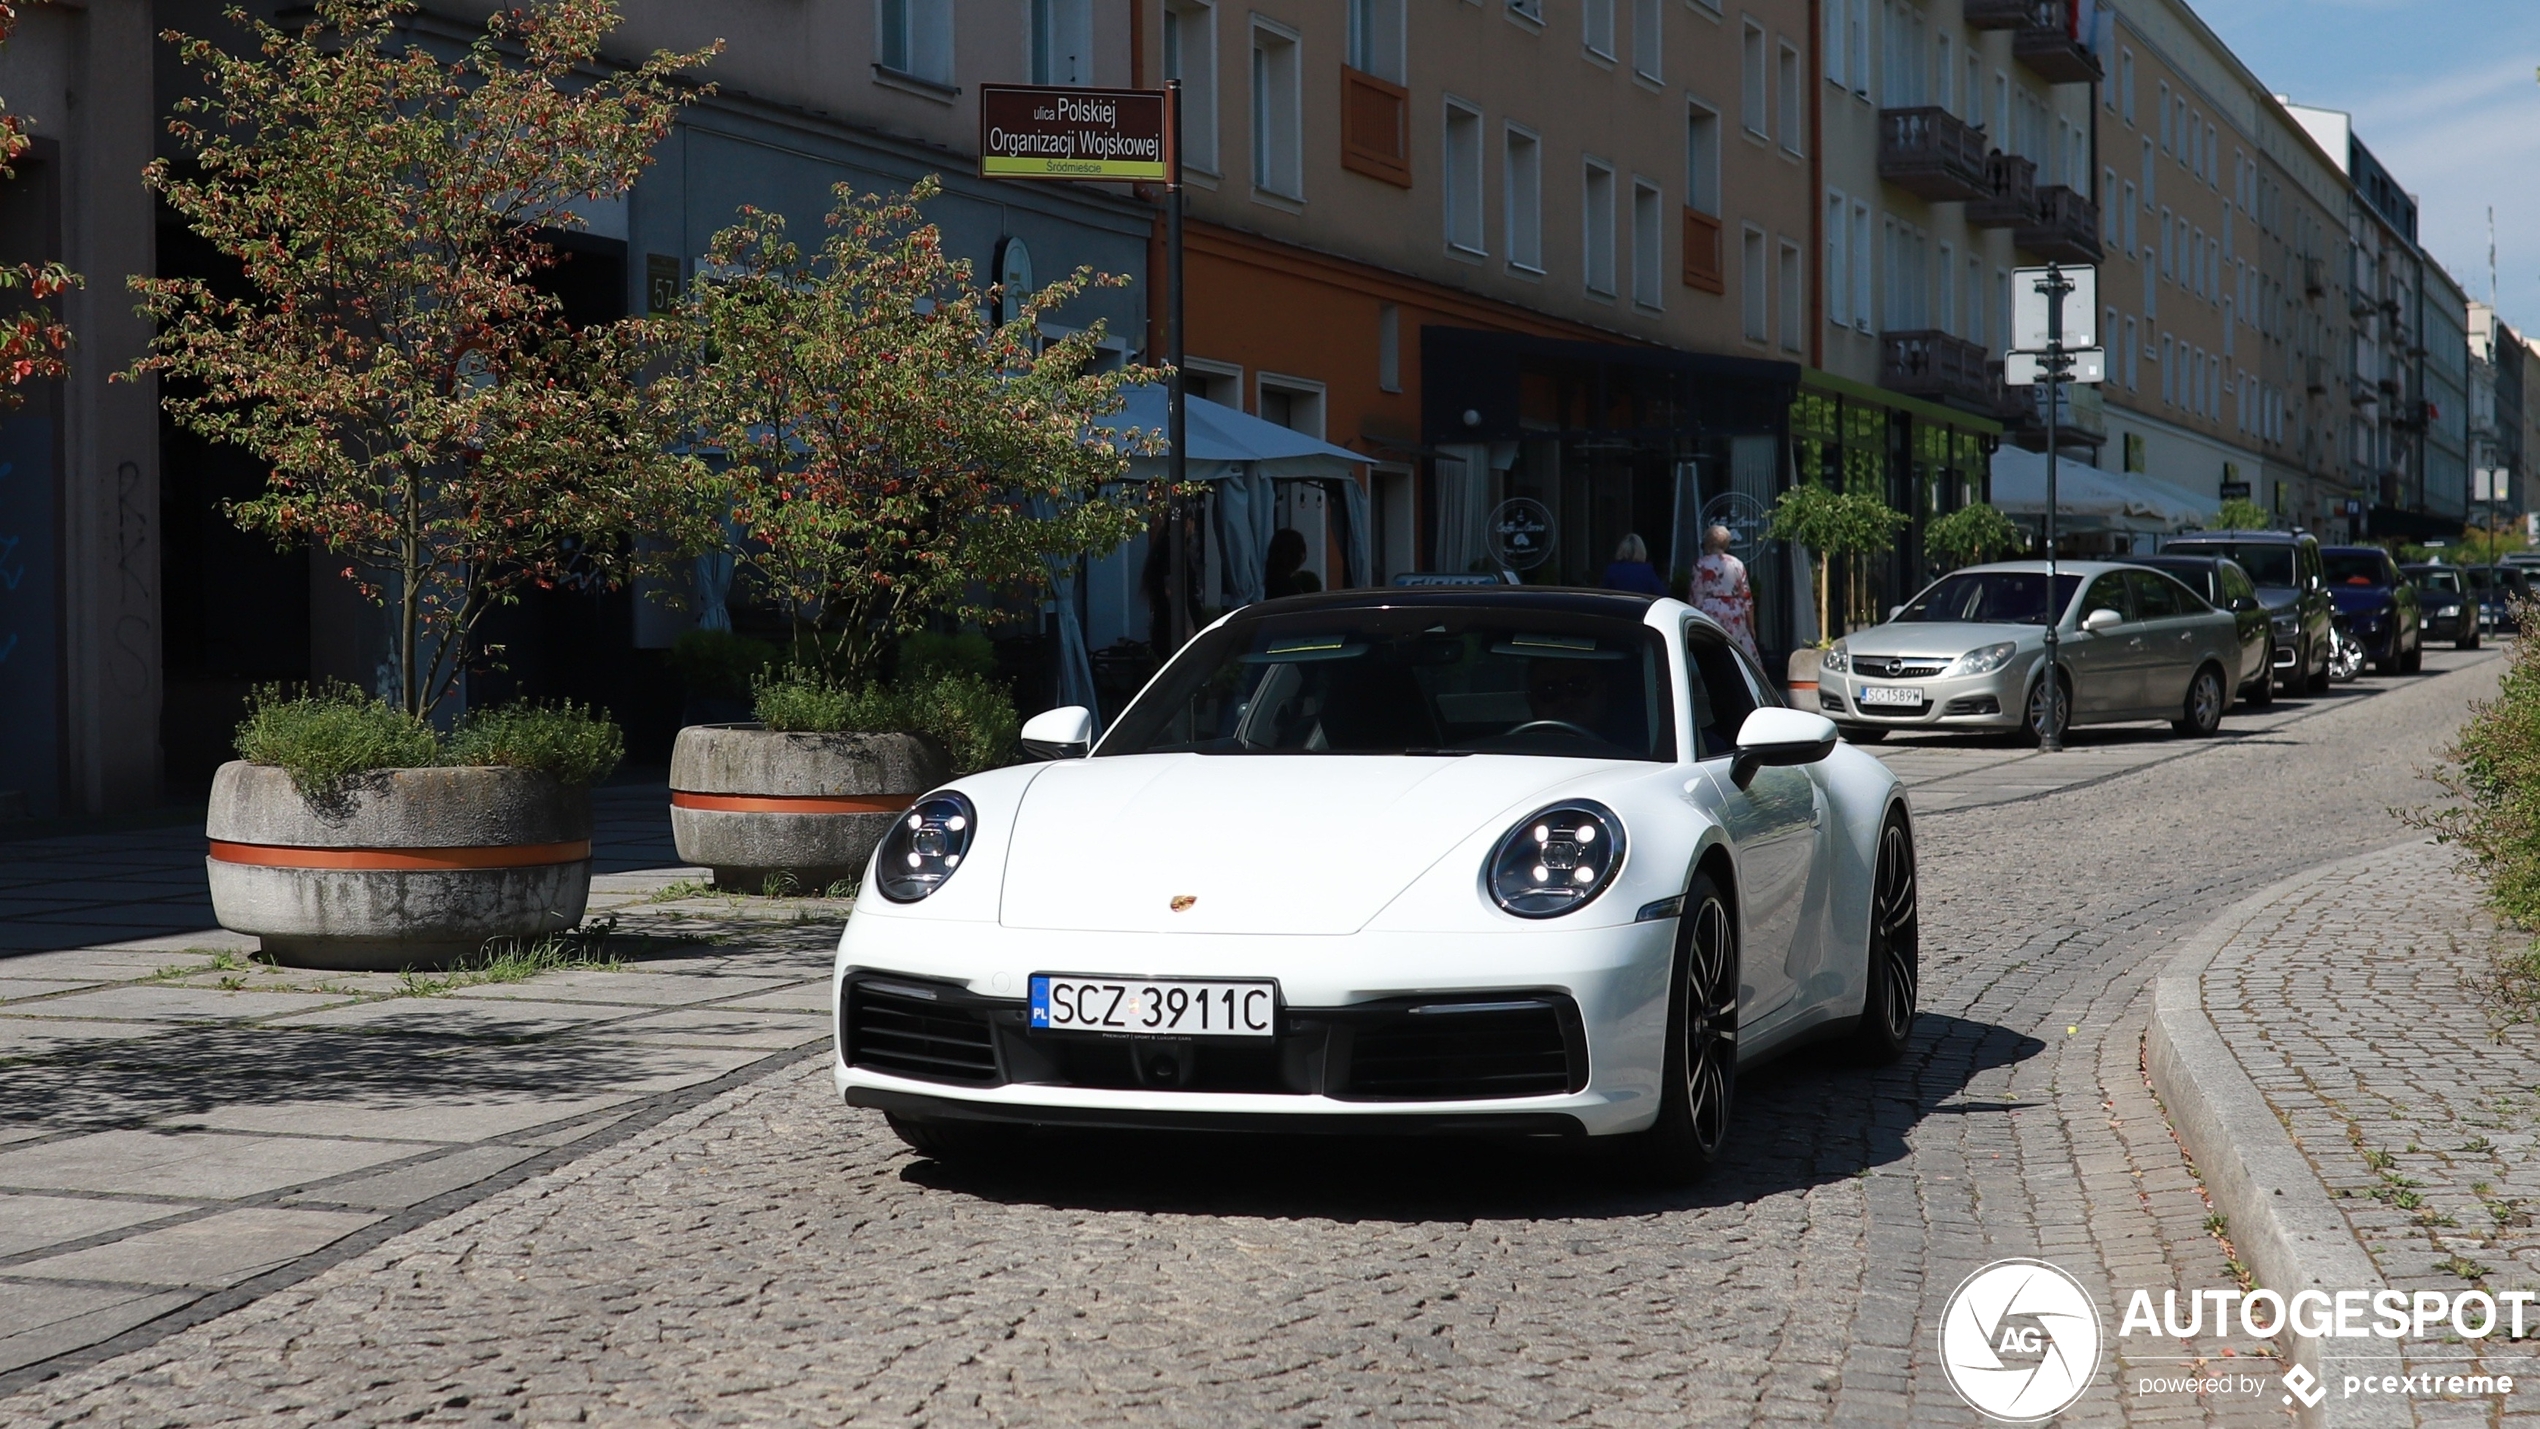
(2280, 1212)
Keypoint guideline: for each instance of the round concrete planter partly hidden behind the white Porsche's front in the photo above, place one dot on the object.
(756, 803)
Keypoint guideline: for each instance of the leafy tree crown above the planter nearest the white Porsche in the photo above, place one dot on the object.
(890, 453)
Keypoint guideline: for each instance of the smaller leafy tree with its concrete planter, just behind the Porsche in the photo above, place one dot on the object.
(893, 463)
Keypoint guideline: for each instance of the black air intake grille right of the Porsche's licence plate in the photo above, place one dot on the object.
(1457, 1052)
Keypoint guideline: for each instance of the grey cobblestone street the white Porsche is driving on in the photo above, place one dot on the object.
(776, 1258)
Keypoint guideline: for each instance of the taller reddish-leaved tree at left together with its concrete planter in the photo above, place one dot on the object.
(431, 420)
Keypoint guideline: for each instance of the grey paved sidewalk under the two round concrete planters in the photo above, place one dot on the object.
(187, 1128)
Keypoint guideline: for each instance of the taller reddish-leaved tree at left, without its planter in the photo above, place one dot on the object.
(425, 410)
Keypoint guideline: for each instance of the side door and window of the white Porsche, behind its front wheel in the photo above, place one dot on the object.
(1774, 829)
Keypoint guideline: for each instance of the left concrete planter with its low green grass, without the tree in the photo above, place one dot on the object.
(349, 834)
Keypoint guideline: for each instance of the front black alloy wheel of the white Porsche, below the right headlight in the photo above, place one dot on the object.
(1701, 1044)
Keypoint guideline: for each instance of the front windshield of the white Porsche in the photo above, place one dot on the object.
(1411, 682)
